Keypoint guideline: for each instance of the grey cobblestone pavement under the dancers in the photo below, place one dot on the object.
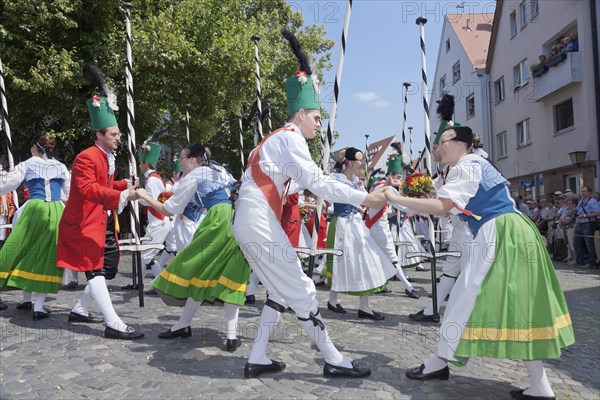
(54, 359)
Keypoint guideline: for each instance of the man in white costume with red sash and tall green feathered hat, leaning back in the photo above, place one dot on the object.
(279, 158)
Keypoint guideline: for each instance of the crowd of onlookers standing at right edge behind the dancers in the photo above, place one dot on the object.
(570, 222)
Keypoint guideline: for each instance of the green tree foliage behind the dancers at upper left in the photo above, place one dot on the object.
(186, 53)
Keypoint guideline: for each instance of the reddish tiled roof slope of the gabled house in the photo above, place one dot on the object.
(477, 41)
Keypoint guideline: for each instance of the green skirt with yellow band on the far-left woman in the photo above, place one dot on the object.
(28, 257)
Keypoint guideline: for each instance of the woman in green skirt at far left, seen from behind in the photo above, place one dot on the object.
(28, 257)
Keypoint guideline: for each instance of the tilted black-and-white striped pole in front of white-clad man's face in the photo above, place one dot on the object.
(327, 143)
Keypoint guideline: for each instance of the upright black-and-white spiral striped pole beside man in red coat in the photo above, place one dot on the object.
(135, 212)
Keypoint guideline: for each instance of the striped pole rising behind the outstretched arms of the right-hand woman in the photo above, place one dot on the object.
(421, 21)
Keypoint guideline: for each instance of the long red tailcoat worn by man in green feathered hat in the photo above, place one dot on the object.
(82, 228)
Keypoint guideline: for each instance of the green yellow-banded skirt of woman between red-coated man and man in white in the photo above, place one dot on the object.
(211, 267)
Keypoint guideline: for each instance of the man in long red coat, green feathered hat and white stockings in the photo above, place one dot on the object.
(87, 239)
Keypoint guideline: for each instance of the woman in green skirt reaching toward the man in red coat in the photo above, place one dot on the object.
(211, 267)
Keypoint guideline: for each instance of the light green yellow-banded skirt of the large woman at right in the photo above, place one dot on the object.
(520, 311)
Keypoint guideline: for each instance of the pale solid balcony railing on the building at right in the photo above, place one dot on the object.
(558, 77)
